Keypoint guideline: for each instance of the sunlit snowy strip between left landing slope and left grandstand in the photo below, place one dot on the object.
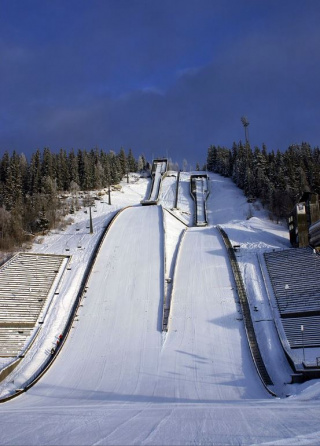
(75, 240)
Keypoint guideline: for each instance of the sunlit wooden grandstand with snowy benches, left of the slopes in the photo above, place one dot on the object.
(27, 285)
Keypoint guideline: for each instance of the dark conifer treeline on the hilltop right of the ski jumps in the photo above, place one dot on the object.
(278, 179)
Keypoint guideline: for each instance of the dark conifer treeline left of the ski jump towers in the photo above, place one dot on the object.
(29, 189)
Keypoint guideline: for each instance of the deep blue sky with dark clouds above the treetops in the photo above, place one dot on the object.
(160, 77)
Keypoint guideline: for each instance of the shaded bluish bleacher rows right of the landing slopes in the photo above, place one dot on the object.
(294, 275)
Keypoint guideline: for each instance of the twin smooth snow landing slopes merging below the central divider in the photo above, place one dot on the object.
(115, 351)
